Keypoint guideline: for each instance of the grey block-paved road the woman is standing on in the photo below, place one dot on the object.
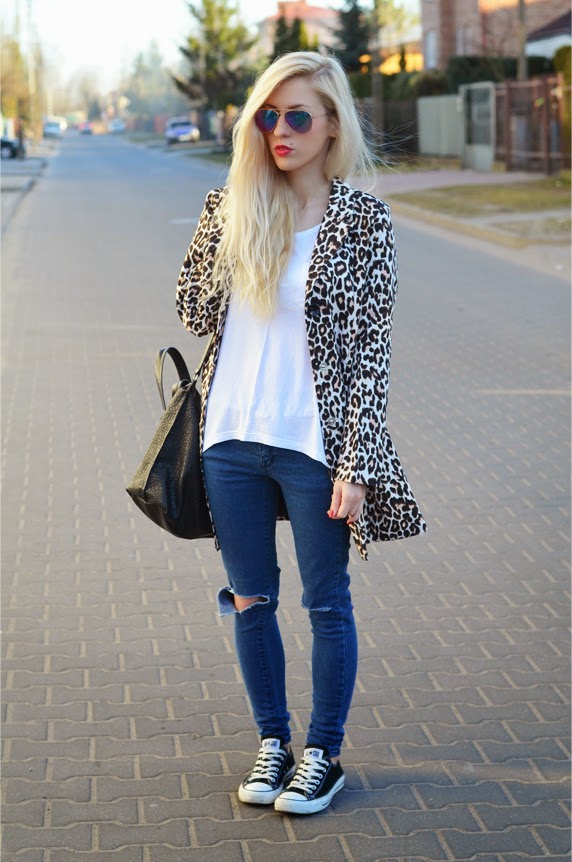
(126, 730)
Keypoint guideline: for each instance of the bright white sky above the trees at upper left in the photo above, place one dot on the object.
(109, 33)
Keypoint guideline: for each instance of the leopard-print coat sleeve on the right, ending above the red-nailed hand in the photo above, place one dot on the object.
(363, 456)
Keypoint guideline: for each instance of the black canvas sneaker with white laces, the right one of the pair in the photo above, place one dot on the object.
(314, 785)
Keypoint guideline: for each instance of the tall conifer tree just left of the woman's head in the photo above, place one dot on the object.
(217, 52)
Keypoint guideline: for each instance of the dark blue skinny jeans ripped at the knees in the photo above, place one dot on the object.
(242, 481)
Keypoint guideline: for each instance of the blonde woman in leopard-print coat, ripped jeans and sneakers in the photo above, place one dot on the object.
(295, 273)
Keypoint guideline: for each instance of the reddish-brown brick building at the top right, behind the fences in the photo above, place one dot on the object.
(481, 27)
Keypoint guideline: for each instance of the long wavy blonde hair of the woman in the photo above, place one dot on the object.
(257, 216)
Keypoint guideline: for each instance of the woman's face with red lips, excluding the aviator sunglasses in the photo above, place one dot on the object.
(295, 151)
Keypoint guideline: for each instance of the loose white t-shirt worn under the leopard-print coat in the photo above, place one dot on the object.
(263, 389)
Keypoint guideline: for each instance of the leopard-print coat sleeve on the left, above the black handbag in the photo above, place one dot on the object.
(197, 309)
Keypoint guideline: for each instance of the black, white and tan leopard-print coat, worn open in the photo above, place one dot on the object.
(350, 295)
